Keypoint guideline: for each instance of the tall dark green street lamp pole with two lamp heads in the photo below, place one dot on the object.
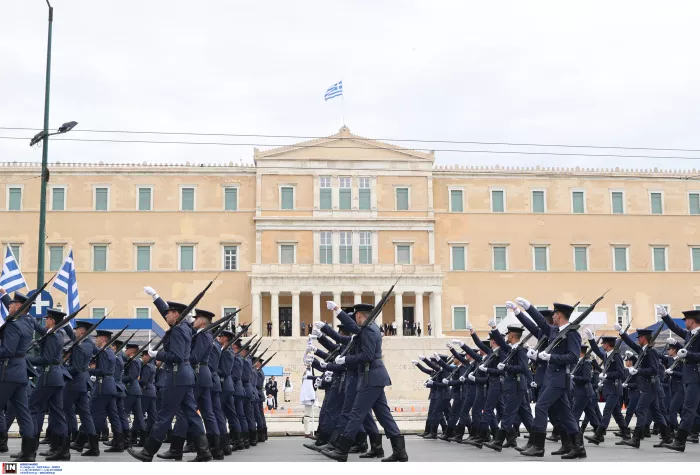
(44, 136)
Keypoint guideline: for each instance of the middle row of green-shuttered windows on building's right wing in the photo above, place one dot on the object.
(581, 258)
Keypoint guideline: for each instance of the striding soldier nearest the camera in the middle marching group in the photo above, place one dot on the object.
(372, 379)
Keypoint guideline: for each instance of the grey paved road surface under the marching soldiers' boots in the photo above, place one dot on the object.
(289, 449)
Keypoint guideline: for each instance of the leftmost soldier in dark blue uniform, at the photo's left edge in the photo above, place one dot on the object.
(17, 338)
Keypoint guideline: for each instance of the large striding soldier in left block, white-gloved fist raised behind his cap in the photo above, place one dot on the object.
(179, 383)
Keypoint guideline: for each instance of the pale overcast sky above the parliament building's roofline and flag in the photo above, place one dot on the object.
(593, 73)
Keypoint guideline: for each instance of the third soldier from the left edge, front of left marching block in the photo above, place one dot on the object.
(76, 393)
